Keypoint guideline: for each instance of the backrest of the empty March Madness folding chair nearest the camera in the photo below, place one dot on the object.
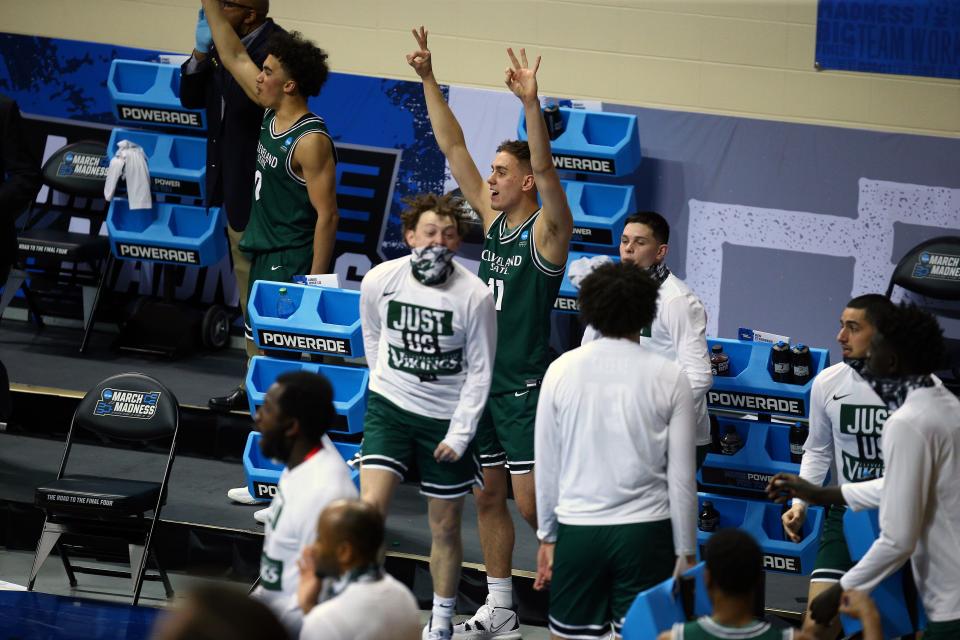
(129, 406)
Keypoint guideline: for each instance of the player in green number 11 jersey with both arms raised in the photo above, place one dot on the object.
(524, 255)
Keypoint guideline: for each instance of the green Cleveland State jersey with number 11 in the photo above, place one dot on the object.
(524, 288)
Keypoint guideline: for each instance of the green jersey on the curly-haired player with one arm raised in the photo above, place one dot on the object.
(281, 215)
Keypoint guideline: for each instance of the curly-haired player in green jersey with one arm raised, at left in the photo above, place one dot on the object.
(293, 218)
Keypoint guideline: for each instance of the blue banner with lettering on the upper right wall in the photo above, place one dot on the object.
(908, 37)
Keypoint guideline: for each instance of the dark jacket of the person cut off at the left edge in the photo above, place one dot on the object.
(19, 178)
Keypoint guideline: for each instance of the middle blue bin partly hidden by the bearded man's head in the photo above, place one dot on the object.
(349, 387)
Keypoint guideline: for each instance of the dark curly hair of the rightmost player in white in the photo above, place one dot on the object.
(915, 337)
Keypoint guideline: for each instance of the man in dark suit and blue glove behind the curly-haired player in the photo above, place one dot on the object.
(233, 128)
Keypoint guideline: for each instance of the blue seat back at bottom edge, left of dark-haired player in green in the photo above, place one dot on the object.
(657, 609)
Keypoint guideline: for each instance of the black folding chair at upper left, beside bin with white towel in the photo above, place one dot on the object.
(68, 257)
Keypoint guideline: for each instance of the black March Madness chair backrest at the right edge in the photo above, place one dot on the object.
(931, 269)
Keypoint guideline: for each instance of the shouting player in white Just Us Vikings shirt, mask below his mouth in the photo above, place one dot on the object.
(429, 330)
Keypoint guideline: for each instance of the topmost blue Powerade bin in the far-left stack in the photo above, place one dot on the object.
(148, 94)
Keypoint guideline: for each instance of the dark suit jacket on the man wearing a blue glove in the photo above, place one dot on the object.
(233, 127)
